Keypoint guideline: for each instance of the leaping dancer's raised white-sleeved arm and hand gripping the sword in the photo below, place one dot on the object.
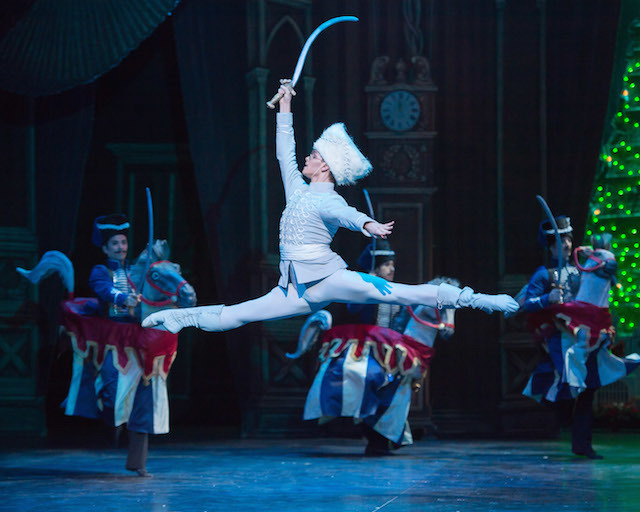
(286, 145)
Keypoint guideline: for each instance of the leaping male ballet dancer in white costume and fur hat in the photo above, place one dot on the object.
(311, 274)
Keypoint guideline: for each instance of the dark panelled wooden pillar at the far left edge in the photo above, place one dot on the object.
(22, 412)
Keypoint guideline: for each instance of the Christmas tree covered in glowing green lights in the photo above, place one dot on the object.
(615, 202)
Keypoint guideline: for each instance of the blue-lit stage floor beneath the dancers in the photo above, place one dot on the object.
(328, 475)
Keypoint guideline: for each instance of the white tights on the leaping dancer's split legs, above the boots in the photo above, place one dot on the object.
(341, 286)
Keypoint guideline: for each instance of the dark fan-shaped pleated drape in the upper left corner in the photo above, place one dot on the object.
(58, 44)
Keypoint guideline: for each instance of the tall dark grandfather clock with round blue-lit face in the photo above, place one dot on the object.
(400, 136)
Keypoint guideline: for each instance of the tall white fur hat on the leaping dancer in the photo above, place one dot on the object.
(345, 161)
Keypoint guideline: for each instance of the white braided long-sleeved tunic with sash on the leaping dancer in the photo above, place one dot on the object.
(312, 215)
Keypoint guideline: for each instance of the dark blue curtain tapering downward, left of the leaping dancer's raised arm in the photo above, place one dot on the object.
(207, 62)
